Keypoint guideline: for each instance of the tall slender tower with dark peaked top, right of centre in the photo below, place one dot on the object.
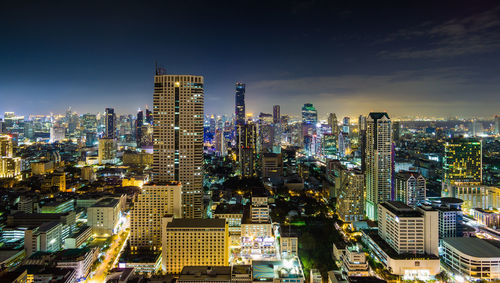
(378, 161)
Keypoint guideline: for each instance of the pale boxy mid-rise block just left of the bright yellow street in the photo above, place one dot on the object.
(104, 216)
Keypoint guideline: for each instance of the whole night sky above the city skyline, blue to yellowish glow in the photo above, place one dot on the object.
(419, 59)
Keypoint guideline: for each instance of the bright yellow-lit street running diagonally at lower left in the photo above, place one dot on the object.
(110, 258)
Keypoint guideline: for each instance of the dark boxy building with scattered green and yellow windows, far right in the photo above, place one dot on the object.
(463, 162)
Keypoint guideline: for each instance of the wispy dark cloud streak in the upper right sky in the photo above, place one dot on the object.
(479, 33)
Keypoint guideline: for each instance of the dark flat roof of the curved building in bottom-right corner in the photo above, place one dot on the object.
(475, 247)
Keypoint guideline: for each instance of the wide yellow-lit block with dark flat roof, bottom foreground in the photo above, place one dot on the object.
(194, 242)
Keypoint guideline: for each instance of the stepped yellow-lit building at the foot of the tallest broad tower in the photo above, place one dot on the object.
(150, 205)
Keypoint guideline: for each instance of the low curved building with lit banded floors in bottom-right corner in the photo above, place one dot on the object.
(472, 258)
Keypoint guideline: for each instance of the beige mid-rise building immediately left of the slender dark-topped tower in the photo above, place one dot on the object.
(350, 203)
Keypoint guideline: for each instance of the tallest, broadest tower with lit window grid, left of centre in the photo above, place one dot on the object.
(178, 102)
